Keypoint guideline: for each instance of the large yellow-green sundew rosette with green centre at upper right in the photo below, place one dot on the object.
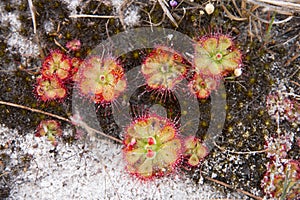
(216, 56)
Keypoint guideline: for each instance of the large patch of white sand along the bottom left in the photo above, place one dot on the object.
(87, 170)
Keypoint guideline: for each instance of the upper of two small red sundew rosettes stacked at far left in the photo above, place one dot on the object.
(57, 64)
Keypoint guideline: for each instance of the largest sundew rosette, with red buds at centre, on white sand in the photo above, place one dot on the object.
(152, 147)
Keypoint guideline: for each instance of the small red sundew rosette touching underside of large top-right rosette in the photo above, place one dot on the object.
(202, 86)
